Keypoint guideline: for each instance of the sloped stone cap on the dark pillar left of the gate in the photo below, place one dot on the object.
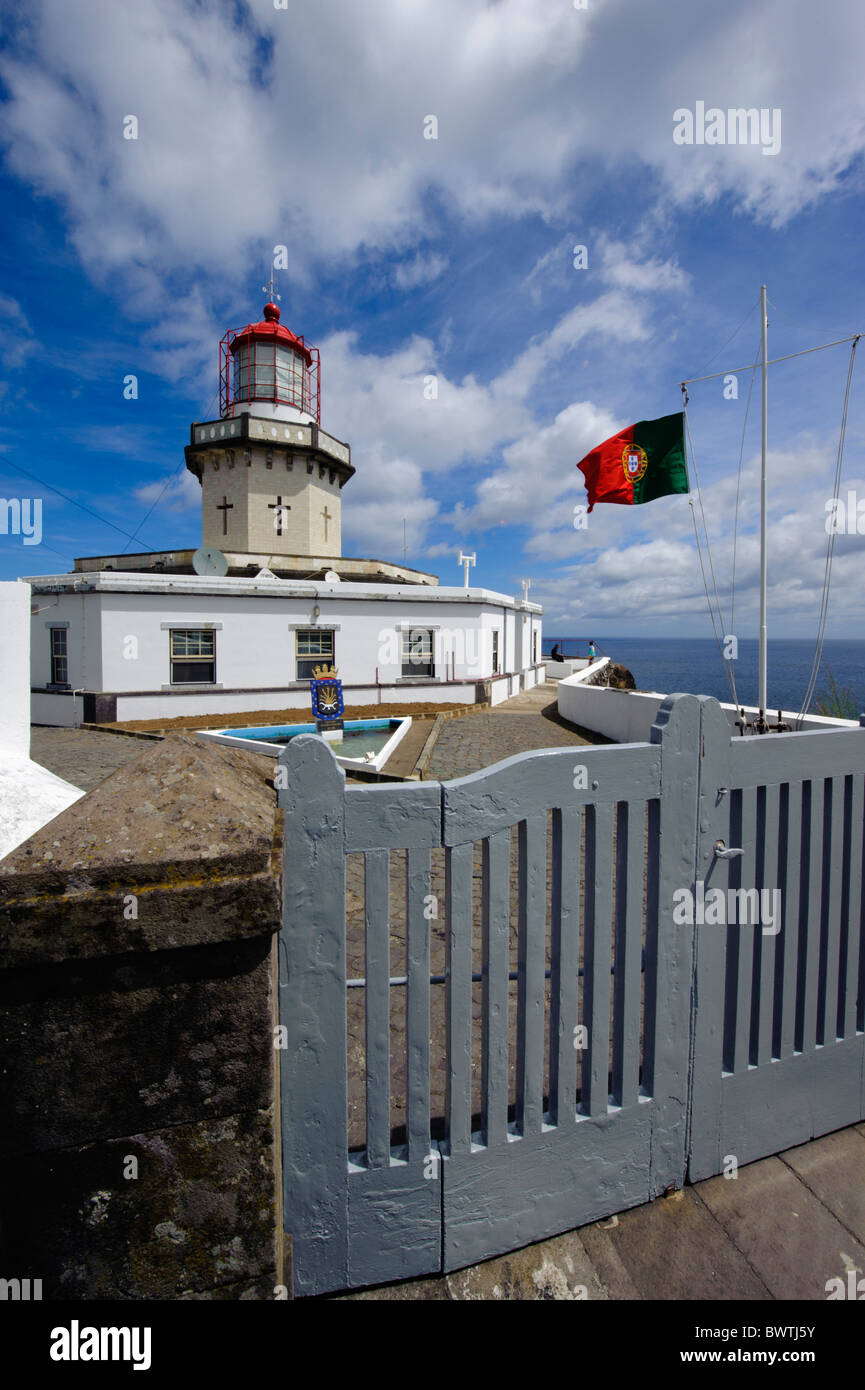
(180, 847)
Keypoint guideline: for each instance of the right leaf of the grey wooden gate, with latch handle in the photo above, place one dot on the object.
(779, 1043)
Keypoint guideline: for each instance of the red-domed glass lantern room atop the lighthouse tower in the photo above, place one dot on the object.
(268, 368)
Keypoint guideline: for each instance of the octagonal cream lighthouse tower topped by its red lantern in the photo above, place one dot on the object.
(272, 479)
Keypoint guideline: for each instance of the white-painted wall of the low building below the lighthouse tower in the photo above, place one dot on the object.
(119, 643)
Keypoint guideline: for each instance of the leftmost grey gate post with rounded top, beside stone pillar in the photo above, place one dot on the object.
(312, 1036)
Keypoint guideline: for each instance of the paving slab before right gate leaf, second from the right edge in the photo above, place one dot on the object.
(785, 1234)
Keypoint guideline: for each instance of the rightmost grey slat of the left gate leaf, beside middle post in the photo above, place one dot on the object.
(628, 976)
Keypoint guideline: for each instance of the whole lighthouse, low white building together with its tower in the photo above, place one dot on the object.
(240, 625)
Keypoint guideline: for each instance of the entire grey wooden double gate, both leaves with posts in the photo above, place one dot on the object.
(585, 1043)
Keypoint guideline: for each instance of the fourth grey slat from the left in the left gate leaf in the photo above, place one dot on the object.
(494, 970)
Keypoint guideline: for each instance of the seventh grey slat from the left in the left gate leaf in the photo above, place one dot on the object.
(597, 960)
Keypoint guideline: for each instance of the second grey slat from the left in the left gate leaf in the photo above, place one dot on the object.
(418, 1004)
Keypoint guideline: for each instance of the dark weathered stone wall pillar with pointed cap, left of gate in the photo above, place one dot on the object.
(138, 1120)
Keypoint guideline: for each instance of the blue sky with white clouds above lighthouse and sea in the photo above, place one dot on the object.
(450, 258)
